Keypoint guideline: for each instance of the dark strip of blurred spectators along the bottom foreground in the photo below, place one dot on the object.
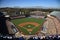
(48, 37)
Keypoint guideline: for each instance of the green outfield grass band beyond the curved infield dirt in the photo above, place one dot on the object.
(19, 21)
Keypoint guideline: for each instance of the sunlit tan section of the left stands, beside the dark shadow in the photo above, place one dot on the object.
(11, 27)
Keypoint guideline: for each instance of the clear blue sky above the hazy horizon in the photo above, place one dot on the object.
(30, 3)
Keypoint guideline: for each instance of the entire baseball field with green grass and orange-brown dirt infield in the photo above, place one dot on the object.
(28, 26)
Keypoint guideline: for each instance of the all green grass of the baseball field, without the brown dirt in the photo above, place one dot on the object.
(23, 29)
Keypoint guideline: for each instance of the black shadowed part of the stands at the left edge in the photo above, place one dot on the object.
(3, 27)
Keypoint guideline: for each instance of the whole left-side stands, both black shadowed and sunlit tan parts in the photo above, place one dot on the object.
(7, 27)
